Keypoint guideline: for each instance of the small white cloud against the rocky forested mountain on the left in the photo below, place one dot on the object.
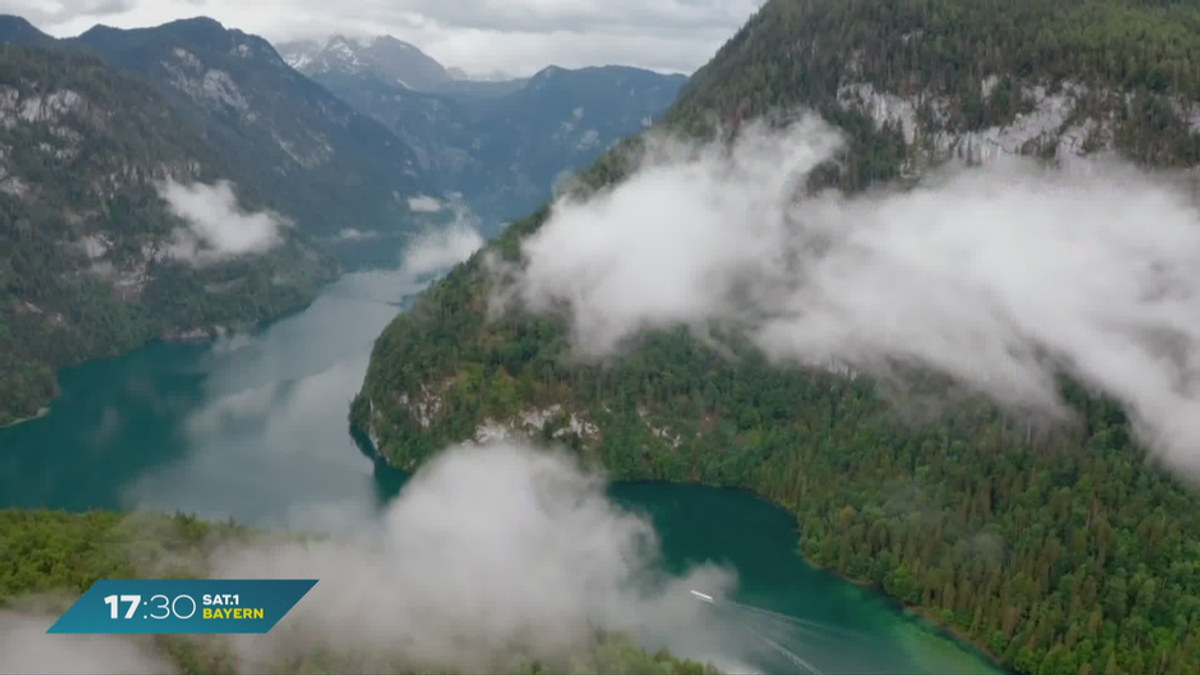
(218, 229)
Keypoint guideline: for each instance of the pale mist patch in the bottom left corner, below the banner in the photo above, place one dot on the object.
(27, 648)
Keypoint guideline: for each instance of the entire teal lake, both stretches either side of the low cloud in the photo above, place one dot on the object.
(255, 428)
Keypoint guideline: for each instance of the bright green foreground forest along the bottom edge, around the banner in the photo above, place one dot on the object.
(57, 555)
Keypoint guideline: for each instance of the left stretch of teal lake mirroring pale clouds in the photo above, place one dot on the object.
(253, 427)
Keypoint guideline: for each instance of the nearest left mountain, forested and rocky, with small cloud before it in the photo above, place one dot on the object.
(122, 225)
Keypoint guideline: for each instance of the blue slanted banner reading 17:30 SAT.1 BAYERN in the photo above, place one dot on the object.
(183, 606)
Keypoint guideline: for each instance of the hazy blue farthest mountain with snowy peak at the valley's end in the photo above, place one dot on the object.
(503, 146)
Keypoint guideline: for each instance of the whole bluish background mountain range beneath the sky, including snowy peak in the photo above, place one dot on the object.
(340, 134)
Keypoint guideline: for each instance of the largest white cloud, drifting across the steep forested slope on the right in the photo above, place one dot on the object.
(1000, 277)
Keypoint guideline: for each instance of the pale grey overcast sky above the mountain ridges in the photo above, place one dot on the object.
(518, 37)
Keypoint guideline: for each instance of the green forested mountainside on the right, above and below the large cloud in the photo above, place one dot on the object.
(1061, 552)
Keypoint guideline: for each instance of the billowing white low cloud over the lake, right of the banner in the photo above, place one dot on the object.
(487, 548)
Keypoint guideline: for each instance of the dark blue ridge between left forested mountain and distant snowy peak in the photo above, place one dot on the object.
(311, 156)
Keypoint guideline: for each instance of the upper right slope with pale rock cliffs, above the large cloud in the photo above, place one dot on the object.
(969, 81)
